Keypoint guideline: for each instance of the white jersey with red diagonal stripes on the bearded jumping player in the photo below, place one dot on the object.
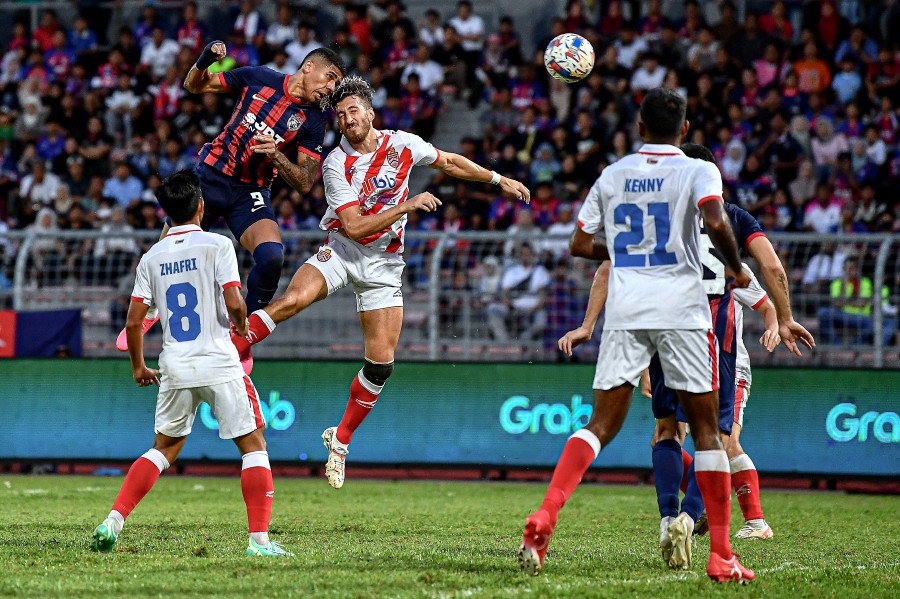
(374, 182)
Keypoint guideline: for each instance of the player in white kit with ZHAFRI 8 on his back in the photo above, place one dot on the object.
(192, 277)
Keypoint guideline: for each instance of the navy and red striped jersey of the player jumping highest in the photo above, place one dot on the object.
(264, 108)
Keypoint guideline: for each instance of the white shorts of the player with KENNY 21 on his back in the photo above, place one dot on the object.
(689, 358)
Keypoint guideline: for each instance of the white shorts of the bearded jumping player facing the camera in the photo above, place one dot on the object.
(376, 275)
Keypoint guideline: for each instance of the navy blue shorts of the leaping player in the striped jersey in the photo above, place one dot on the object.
(241, 204)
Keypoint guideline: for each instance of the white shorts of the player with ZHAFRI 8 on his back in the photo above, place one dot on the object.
(235, 405)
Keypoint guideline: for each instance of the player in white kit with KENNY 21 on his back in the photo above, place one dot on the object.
(648, 204)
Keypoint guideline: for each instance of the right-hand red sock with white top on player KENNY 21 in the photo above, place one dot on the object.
(714, 480)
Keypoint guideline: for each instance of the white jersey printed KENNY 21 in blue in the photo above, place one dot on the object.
(648, 204)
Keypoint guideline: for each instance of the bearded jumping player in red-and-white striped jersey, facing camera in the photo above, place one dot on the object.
(367, 188)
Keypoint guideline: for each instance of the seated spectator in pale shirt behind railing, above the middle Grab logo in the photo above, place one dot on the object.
(520, 304)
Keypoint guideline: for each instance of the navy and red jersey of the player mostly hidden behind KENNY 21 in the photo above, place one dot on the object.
(721, 301)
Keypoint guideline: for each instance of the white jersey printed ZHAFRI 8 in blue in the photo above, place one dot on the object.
(184, 275)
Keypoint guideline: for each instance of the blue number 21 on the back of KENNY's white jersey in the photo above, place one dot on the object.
(632, 216)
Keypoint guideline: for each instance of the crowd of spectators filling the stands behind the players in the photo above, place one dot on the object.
(798, 101)
